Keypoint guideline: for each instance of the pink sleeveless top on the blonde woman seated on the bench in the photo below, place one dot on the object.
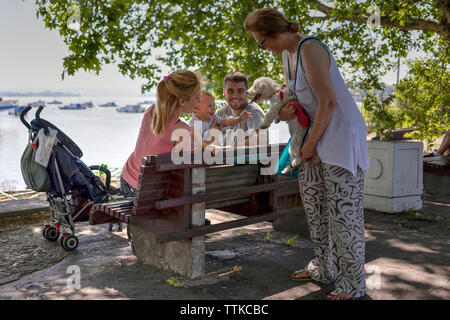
(147, 144)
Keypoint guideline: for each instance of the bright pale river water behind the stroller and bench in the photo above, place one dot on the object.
(104, 135)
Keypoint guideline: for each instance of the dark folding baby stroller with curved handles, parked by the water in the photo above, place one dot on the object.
(71, 187)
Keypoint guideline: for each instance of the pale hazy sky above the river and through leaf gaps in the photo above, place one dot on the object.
(31, 59)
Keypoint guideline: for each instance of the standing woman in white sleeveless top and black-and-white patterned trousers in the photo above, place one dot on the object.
(335, 157)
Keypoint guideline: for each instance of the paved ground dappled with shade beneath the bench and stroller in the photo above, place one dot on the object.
(407, 257)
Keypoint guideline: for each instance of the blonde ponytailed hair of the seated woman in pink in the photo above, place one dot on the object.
(179, 84)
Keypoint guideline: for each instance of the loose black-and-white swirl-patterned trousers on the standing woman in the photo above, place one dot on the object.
(333, 202)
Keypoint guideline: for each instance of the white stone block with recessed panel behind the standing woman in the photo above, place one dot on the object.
(394, 181)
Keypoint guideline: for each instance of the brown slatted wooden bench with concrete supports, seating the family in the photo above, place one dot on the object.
(167, 216)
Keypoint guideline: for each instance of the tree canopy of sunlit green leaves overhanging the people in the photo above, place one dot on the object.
(367, 37)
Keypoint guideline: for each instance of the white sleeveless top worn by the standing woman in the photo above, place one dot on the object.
(343, 142)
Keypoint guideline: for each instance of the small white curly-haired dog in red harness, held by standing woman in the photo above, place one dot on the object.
(265, 88)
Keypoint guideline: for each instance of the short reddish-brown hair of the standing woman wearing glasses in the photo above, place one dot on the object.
(268, 22)
